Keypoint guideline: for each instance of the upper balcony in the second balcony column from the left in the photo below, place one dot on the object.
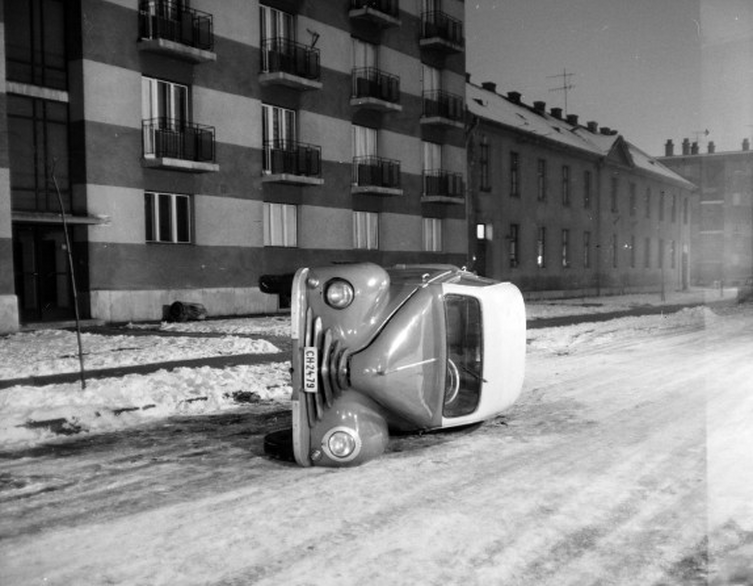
(285, 62)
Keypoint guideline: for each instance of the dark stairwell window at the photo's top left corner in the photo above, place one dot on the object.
(35, 43)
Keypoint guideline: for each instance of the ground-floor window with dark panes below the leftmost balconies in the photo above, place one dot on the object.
(168, 217)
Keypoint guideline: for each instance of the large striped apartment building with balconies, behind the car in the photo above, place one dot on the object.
(195, 146)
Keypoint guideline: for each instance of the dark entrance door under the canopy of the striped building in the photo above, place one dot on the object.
(43, 283)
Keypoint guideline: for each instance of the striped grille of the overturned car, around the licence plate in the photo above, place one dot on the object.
(332, 367)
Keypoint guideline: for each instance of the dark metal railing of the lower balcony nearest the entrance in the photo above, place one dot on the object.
(172, 139)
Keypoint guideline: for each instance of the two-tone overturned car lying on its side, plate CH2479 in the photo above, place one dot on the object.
(409, 348)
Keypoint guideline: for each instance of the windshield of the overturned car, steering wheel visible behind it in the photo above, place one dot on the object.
(464, 355)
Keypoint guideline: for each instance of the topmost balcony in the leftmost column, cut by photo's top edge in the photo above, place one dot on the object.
(171, 28)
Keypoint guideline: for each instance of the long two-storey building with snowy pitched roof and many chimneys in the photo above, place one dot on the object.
(564, 209)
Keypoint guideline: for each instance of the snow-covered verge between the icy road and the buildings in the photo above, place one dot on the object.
(120, 402)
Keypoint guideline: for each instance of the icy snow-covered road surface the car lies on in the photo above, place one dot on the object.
(627, 460)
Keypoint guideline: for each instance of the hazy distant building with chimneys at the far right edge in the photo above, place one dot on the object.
(722, 229)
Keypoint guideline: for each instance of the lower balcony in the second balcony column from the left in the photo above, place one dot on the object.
(294, 163)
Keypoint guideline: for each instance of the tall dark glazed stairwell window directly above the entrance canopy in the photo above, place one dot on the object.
(38, 134)
